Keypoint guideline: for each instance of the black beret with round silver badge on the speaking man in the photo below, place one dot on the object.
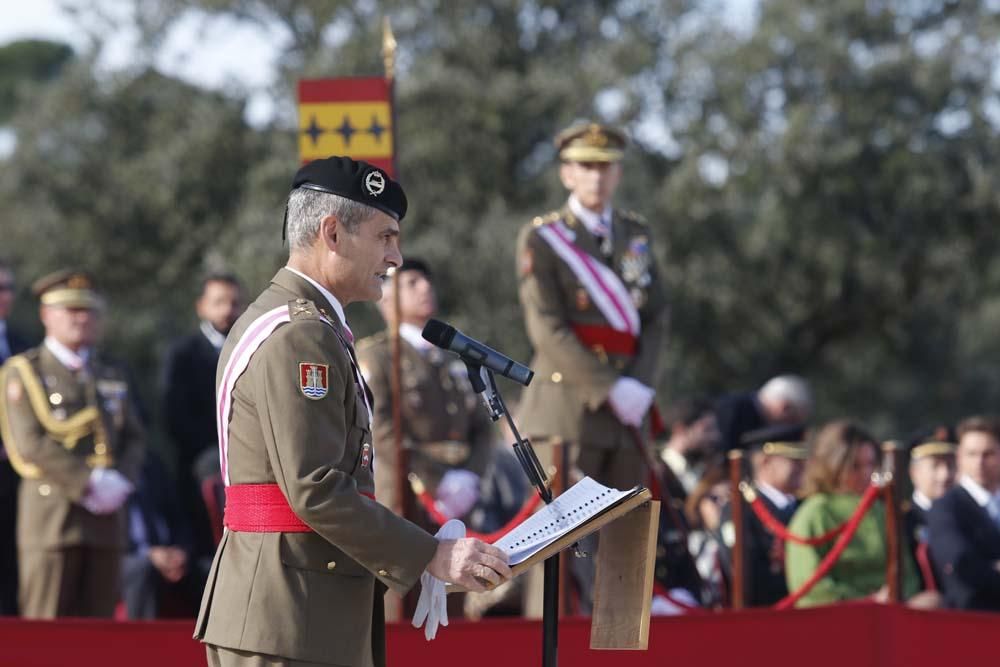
(355, 180)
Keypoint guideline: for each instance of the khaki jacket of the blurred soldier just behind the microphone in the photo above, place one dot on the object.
(438, 406)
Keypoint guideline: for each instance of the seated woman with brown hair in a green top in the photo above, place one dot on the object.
(839, 470)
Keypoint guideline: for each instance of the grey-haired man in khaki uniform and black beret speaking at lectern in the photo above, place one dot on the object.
(299, 575)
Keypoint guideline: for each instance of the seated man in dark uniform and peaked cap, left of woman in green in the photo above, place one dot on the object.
(777, 458)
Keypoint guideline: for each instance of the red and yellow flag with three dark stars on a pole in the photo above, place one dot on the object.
(348, 116)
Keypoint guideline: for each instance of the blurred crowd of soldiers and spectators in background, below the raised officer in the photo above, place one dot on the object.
(809, 477)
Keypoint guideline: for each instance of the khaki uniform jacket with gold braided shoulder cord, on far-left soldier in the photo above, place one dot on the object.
(56, 429)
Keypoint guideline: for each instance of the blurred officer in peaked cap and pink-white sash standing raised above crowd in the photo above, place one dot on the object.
(595, 311)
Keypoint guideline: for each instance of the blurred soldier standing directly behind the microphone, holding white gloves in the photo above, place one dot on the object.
(446, 428)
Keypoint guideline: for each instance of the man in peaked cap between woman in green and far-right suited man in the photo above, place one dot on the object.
(932, 472)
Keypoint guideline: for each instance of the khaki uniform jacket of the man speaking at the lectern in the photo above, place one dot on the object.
(306, 596)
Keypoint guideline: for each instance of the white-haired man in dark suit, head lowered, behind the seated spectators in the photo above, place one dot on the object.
(785, 399)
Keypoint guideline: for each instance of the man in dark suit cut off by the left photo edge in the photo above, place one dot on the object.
(10, 344)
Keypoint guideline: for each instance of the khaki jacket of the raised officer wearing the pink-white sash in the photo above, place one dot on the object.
(567, 399)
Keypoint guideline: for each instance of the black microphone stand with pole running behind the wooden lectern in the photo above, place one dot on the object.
(536, 475)
